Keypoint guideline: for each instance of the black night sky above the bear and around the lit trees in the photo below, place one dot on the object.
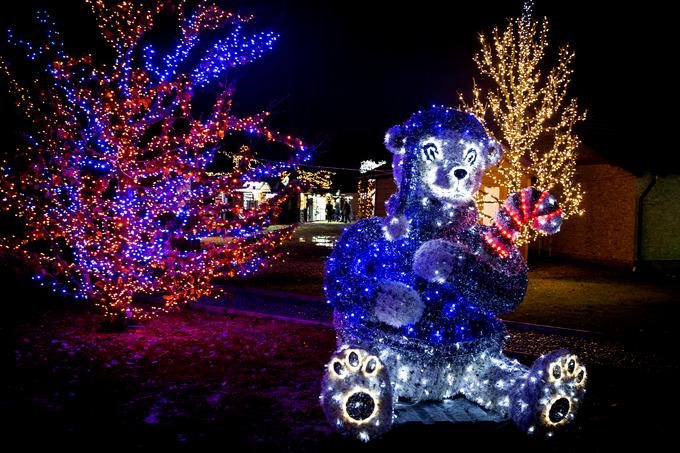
(345, 71)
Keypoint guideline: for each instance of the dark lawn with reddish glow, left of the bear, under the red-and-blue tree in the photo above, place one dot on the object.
(189, 379)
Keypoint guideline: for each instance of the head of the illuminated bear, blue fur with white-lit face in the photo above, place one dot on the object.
(439, 158)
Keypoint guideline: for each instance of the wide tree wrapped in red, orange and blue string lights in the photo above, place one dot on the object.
(112, 182)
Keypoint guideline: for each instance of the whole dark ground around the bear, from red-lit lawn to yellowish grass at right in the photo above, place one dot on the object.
(208, 379)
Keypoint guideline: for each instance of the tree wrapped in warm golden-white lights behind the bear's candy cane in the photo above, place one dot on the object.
(526, 107)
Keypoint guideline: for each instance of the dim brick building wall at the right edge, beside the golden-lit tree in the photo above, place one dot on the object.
(629, 220)
